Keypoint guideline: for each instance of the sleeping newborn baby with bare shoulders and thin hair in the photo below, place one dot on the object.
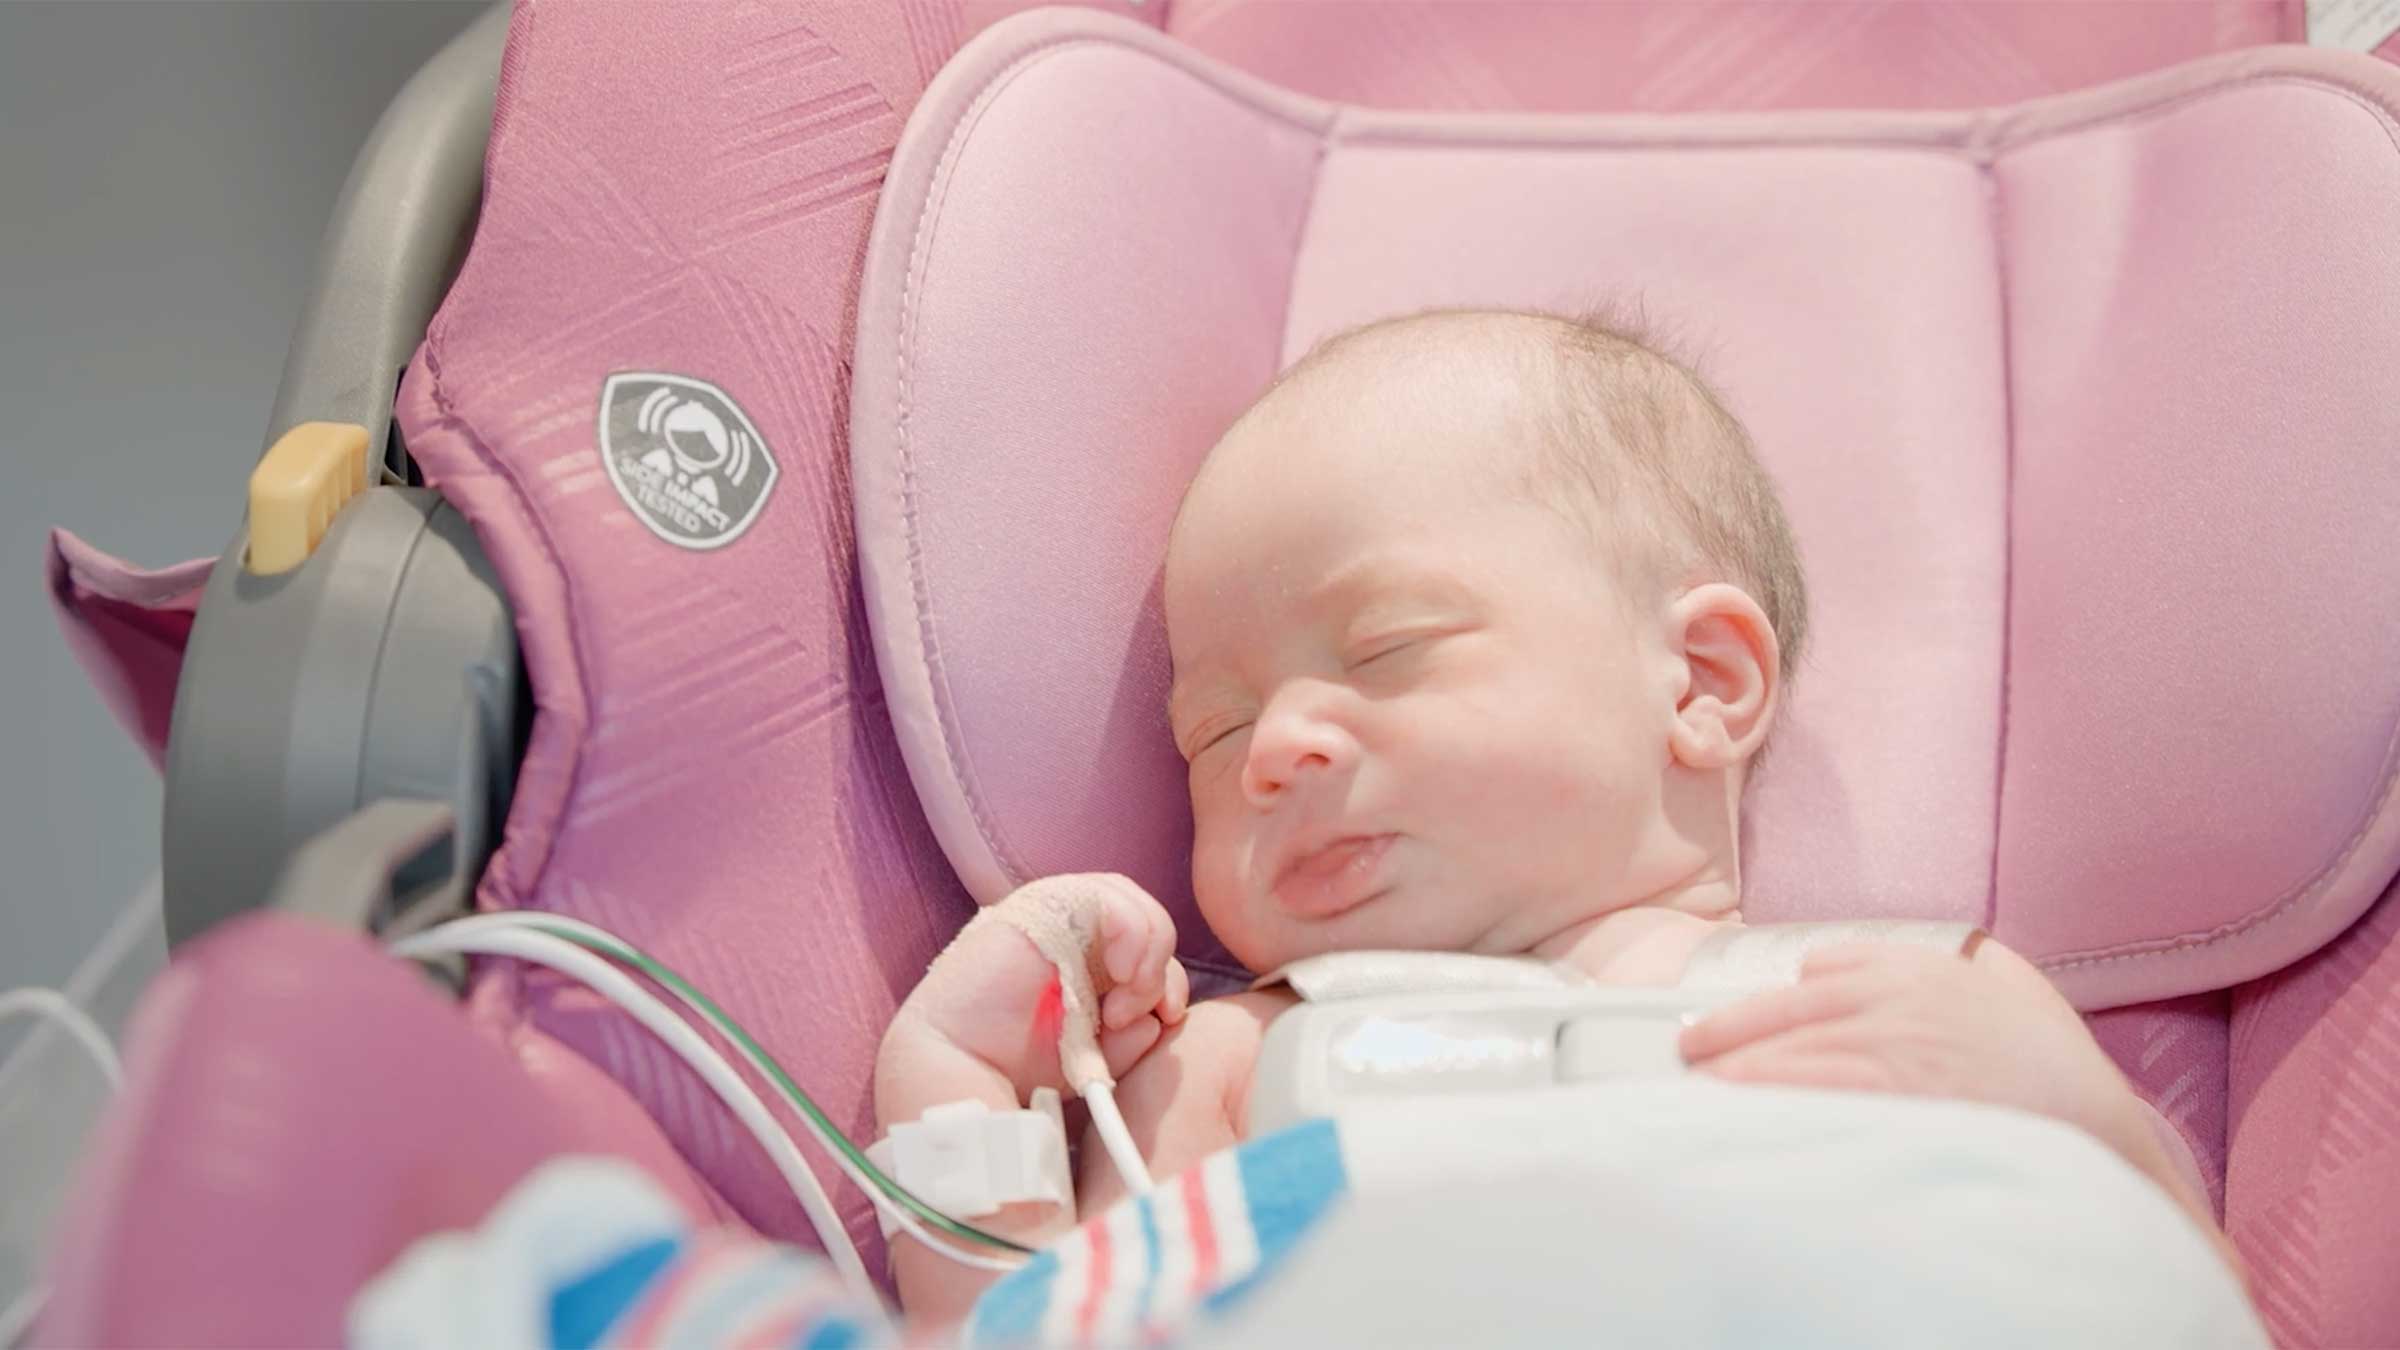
(1480, 626)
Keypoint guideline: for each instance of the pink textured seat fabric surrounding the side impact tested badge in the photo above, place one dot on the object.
(712, 770)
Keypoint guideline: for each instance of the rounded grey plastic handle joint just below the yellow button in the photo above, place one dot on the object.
(385, 667)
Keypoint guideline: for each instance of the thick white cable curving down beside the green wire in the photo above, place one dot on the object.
(644, 1008)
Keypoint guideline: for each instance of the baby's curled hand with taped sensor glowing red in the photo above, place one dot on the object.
(997, 998)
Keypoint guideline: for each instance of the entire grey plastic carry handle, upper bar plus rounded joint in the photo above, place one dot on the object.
(383, 667)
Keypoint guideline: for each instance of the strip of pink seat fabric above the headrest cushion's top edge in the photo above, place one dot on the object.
(1681, 56)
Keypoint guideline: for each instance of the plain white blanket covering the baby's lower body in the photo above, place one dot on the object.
(1700, 1214)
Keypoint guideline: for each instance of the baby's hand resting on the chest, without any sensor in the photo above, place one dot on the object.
(1904, 1020)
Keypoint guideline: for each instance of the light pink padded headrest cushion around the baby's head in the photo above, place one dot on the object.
(2082, 412)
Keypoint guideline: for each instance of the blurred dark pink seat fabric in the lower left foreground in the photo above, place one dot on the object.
(277, 1065)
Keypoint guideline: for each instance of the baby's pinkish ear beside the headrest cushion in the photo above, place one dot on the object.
(1729, 664)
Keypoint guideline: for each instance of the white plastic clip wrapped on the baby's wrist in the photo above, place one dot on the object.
(971, 1161)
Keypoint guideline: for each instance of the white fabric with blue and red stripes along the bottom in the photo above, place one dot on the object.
(589, 1255)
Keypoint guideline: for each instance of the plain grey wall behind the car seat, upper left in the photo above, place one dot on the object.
(164, 177)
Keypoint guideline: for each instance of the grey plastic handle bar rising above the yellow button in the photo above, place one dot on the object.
(397, 239)
